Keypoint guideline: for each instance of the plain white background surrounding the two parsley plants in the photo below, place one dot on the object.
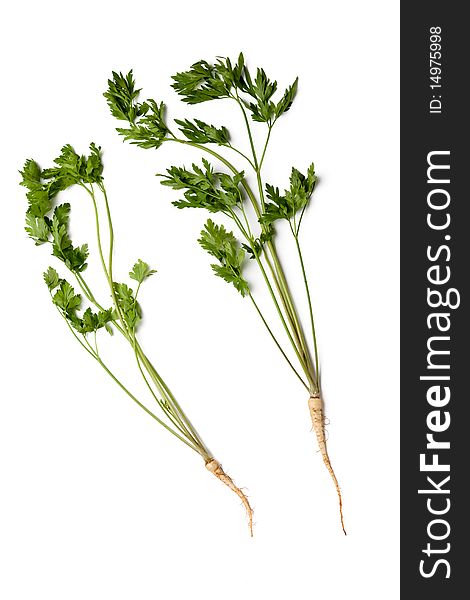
(97, 501)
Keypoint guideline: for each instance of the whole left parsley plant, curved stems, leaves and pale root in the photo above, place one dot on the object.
(49, 224)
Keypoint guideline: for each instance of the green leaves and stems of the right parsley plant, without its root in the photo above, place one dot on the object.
(229, 192)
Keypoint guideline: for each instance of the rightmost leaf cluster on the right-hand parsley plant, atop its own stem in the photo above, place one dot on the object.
(294, 200)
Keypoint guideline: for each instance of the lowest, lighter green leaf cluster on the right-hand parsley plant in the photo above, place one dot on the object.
(223, 245)
